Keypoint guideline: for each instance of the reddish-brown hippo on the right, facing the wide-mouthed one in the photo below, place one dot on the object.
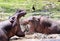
(43, 25)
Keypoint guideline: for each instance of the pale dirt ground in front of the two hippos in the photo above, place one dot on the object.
(37, 37)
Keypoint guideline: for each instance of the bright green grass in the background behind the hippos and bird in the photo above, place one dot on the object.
(10, 6)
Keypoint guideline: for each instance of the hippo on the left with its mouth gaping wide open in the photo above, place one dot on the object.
(11, 27)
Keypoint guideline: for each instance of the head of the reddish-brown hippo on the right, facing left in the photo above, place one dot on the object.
(32, 23)
